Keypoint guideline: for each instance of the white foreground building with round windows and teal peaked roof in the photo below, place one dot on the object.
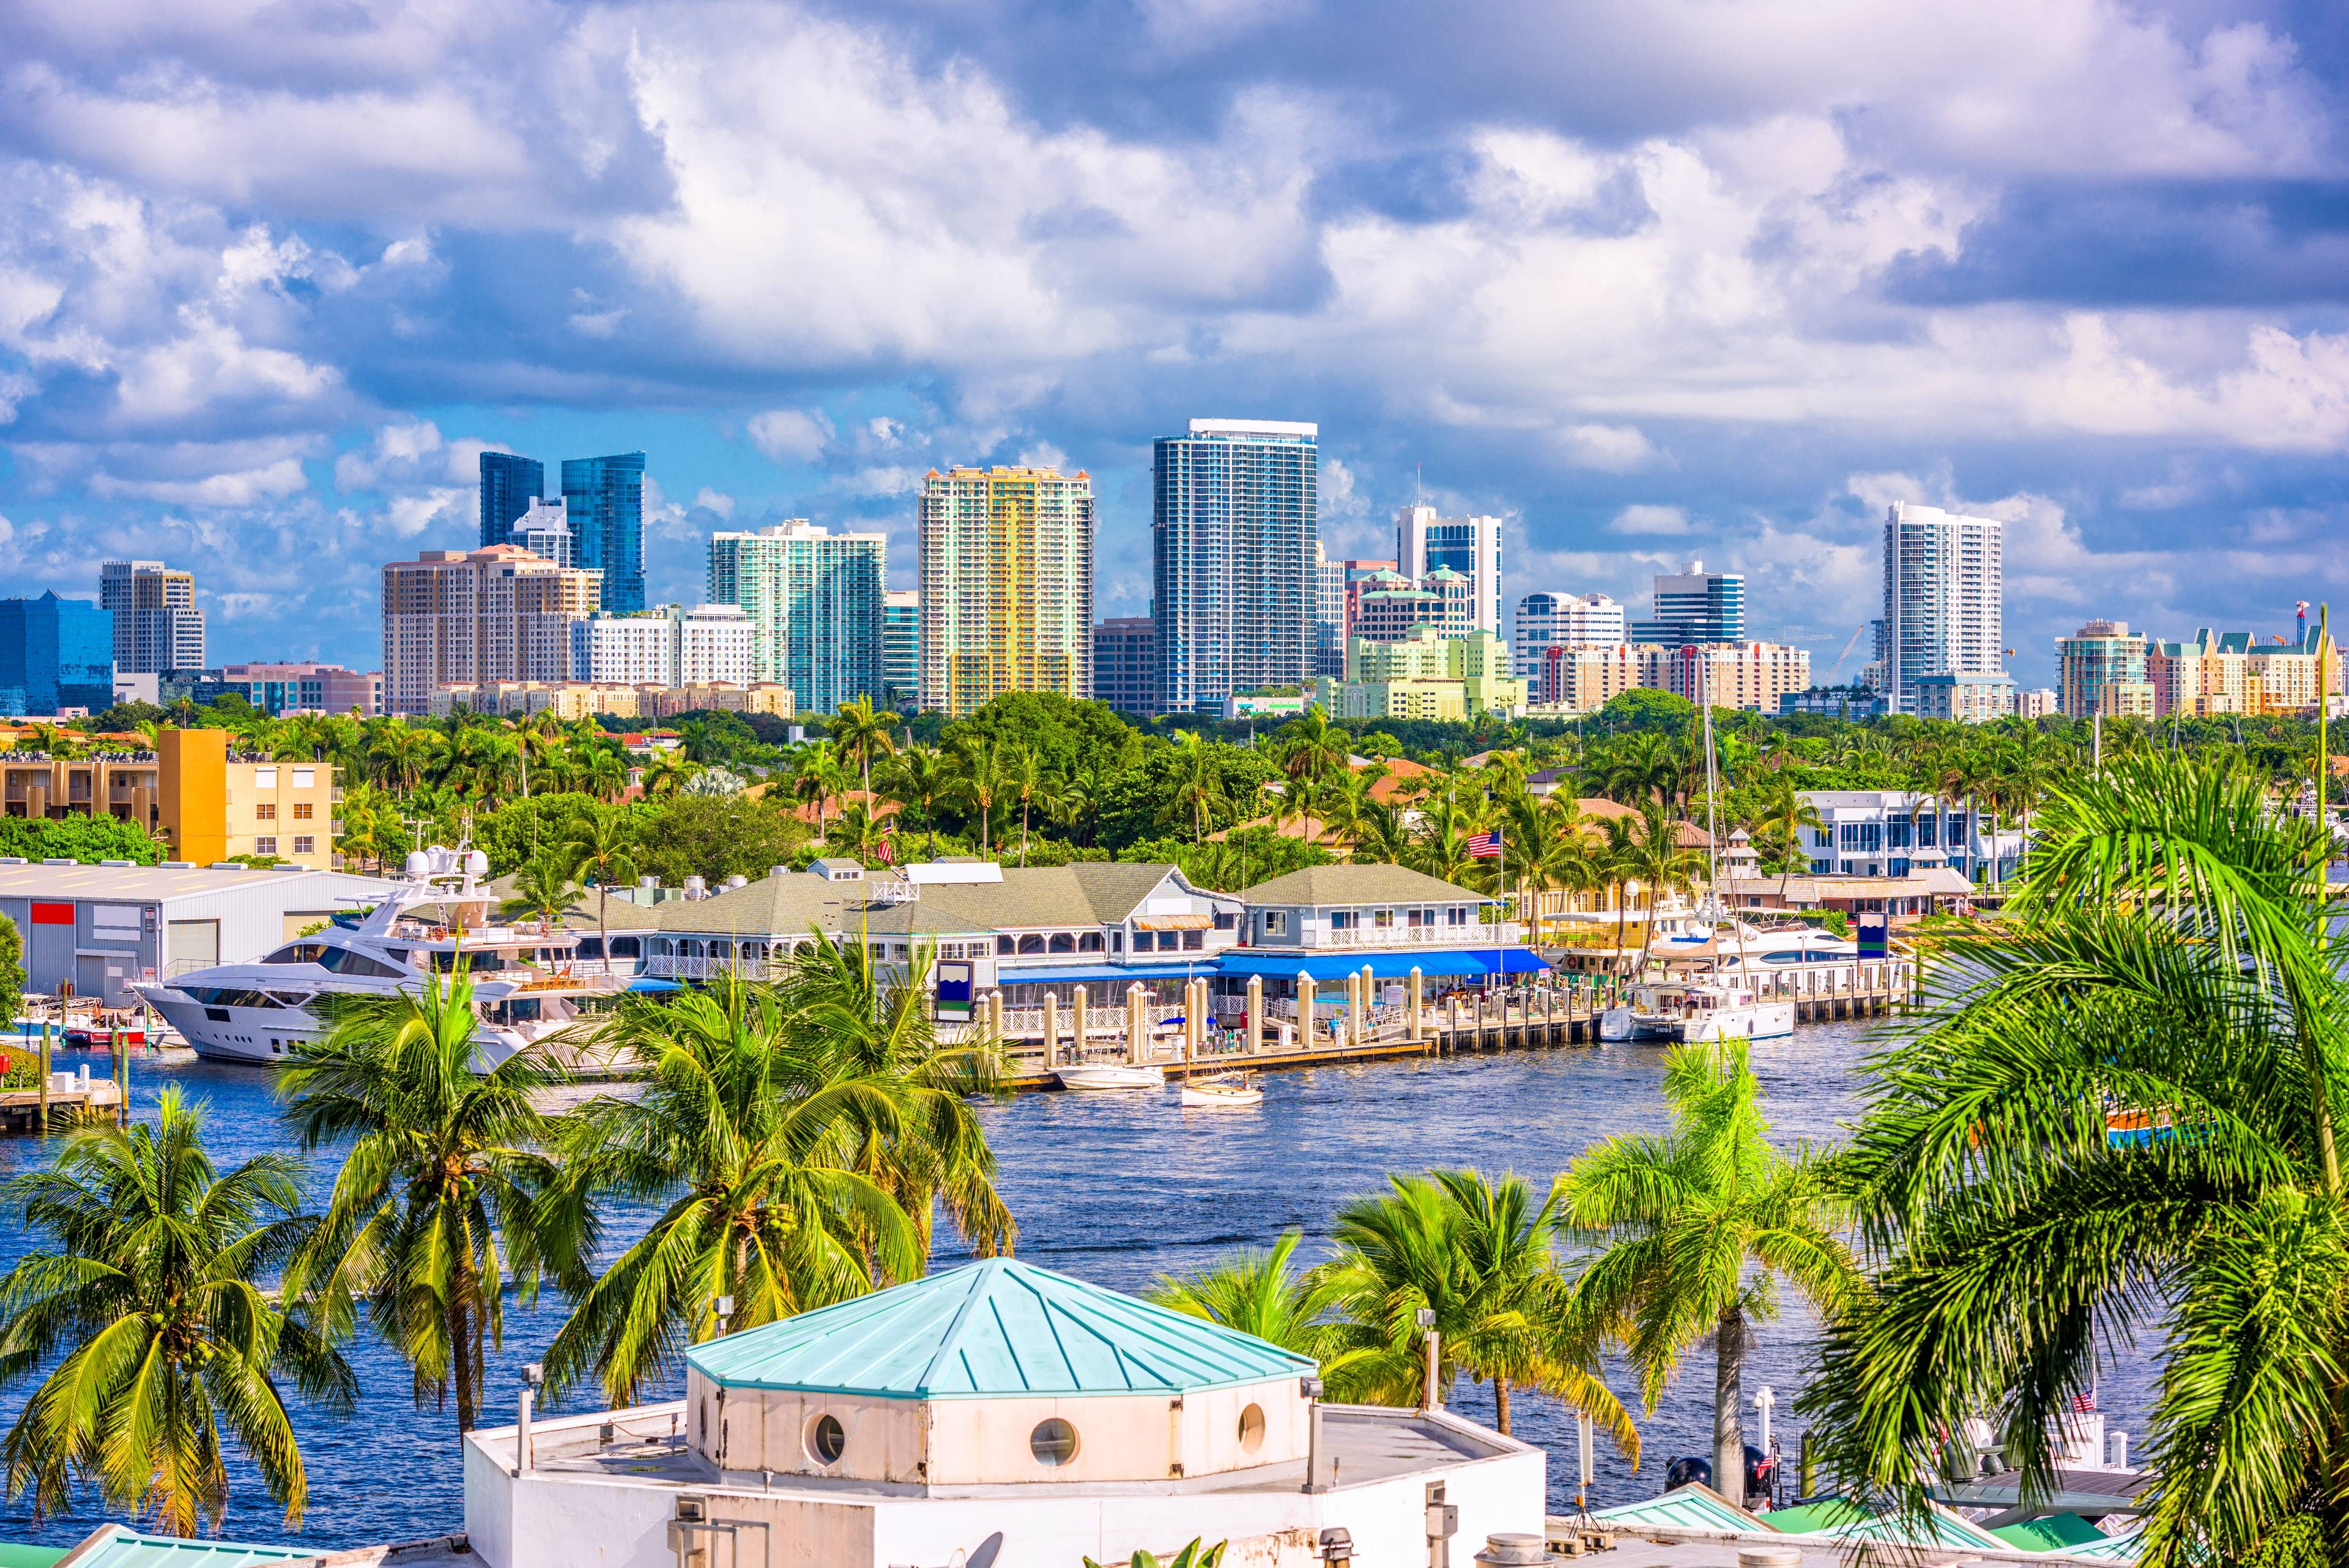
(995, 1414)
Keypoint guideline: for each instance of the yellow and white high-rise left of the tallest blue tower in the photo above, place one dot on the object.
(1007, 584)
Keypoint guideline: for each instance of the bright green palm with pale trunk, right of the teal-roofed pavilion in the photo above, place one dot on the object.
(1700, 1226)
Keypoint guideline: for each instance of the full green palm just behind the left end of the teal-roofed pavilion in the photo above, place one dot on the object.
(760, 1202)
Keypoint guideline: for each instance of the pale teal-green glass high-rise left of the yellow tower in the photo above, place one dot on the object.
(814, 601)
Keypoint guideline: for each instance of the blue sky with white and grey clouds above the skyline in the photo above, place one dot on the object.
(1648, 279)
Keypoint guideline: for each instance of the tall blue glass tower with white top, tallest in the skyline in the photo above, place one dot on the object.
(1234, 521)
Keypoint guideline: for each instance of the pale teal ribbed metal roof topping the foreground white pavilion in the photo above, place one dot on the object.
(995, 1327)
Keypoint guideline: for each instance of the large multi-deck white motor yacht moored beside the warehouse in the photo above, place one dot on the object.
(527, 977)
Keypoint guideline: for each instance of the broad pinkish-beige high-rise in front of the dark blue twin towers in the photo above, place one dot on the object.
(457, 619)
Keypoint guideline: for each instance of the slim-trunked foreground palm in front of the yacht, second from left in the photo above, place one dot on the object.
(433, 1209)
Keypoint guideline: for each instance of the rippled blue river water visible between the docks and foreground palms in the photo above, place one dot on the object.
(1119, 1191)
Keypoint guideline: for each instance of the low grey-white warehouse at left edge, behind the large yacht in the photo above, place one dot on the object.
(100, 930)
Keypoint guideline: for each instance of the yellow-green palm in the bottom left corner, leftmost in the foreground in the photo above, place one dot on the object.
(161, 1325)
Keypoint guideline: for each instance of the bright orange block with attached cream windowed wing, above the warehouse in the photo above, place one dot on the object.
(217, 808)
